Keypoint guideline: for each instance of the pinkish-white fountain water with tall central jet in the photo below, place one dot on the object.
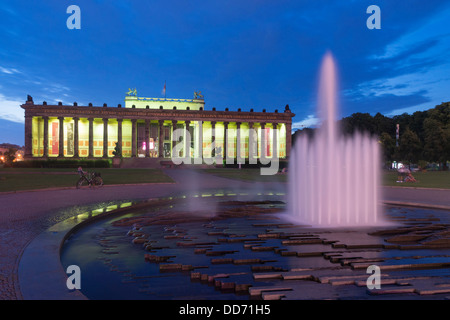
(334, 180)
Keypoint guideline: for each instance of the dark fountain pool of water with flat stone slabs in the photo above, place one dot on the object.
(246, 250)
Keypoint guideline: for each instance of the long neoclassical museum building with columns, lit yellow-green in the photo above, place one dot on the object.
(146, 128)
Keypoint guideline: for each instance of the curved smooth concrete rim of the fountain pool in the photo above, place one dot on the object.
(41, 275)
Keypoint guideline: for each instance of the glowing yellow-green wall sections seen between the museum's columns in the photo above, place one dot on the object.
(196, 128)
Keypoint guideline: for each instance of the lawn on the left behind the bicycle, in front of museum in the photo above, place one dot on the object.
(12, 179)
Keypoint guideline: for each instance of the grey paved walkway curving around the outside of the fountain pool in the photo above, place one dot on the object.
(26, 214)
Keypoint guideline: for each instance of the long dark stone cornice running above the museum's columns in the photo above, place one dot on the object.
(155, 114)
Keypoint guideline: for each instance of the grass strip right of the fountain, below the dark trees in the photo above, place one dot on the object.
(429, 179)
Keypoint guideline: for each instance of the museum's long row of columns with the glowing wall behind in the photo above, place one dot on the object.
(238, 139)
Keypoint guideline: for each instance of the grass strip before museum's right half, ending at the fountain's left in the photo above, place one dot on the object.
(246, 175)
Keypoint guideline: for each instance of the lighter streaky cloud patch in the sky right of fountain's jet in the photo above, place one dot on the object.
(412, 72)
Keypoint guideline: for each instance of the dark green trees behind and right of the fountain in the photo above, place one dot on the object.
(424, 136)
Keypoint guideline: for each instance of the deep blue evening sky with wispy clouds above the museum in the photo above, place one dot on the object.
(245, 54)
